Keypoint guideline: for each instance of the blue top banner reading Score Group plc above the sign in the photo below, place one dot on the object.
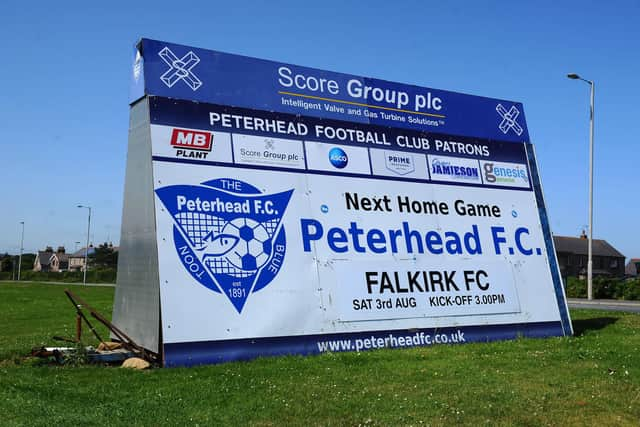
(193, 74)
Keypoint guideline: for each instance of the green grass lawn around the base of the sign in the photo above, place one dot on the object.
(590, 379)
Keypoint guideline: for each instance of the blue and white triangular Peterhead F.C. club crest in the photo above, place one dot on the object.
(228, 235)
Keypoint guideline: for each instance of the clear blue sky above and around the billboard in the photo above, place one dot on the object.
(65, 73)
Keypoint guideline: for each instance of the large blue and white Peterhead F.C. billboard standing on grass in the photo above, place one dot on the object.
(299, 211)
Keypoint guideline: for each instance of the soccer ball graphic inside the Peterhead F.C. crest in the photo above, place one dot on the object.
(254, 244)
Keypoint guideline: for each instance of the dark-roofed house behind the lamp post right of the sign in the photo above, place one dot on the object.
(573, 256)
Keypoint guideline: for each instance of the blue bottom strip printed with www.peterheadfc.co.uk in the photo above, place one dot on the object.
(207, 352)
